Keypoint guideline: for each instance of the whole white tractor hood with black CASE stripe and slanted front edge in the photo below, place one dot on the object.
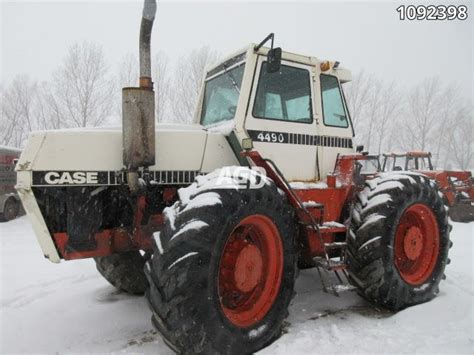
(93, 157)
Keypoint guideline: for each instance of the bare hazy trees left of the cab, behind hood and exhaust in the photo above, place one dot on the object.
(85, 91)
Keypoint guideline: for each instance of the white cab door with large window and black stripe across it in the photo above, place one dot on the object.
(280, 118)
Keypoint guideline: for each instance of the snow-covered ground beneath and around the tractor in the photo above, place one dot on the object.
(65, 308)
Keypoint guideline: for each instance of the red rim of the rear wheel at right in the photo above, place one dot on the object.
(416, 244)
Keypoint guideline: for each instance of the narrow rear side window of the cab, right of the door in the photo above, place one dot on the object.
(334, 113)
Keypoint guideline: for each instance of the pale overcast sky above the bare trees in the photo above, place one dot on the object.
(35, 35)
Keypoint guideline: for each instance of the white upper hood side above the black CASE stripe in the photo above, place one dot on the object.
(178, 147)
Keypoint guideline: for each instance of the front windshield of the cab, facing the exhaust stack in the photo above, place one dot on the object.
(221, 95)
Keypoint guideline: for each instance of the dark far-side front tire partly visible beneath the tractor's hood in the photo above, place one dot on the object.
(124, 271)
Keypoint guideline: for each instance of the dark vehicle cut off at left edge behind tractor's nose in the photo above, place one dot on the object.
(10, 205)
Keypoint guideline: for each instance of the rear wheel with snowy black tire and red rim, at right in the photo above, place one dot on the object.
(399, 240)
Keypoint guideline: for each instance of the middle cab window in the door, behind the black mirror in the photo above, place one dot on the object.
(284, 96)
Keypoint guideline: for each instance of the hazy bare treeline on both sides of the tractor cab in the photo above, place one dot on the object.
(84, 91)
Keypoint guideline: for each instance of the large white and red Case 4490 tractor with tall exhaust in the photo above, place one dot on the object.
(219, 213)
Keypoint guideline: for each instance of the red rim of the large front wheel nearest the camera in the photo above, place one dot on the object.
(250, 271)
